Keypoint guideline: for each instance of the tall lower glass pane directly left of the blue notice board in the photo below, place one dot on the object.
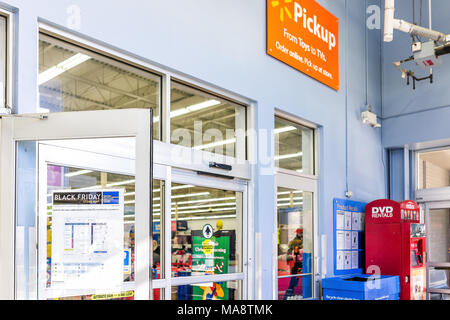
(295, 234)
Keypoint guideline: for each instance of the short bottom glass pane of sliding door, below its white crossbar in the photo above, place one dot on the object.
(227, 290)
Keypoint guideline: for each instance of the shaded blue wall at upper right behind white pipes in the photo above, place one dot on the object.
(421, 115)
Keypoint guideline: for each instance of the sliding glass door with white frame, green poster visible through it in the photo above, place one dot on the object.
(208, 238)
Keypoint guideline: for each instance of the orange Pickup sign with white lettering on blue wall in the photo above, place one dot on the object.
(304, 35)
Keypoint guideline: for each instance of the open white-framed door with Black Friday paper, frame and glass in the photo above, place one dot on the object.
(73, 231)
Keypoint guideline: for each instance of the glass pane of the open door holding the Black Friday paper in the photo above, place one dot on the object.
(85, 226)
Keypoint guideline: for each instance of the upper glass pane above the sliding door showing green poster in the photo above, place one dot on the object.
(205, 122)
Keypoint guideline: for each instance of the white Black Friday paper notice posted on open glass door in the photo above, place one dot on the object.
(87, 239)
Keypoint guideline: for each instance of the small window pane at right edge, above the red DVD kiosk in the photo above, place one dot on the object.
(433, 169)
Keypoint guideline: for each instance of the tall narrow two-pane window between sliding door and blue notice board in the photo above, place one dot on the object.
(296, 195)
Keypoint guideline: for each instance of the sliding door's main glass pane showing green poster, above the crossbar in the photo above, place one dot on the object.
(206, 231)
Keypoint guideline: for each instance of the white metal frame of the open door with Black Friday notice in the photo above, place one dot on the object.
(75, 125)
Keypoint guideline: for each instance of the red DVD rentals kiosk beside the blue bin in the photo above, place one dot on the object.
(395, 243)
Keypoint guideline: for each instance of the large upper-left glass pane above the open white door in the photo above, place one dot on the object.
(72, 78)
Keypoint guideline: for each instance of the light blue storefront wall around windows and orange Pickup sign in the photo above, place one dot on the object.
(223, 42)
